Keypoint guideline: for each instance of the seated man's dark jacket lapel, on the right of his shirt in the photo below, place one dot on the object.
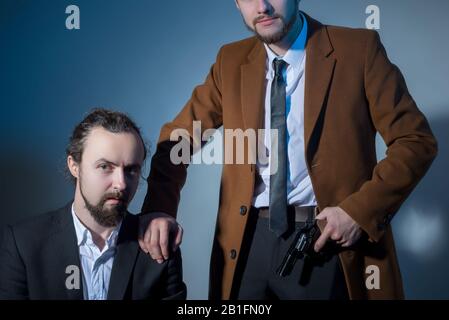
(125, 258)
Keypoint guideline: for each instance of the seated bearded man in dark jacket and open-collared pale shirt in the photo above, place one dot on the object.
(89, 248)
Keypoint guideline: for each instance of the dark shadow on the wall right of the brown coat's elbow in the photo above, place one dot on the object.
(420, 228)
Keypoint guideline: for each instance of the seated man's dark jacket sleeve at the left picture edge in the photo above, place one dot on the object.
(13, 282)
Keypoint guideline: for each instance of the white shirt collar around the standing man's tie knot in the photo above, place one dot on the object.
(295, 54)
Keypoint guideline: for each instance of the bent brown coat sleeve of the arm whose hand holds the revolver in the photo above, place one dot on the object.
(411, 146)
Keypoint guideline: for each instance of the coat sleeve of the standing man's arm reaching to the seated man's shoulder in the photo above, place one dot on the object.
(166, 178)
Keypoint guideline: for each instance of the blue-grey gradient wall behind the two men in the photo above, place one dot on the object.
(145, 57)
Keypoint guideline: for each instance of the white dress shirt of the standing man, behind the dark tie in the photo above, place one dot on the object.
(299, 185)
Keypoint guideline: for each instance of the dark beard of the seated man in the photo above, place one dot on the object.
(107, 217)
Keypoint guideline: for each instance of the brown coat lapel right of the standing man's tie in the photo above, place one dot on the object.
(319, 70)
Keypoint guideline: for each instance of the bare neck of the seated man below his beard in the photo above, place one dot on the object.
(99, 233)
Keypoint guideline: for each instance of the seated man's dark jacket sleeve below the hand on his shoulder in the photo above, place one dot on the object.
(175, 287)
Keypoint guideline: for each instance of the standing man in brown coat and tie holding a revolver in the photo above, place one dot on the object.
(326, 91)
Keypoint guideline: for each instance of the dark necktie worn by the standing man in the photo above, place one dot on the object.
(278, 180)
